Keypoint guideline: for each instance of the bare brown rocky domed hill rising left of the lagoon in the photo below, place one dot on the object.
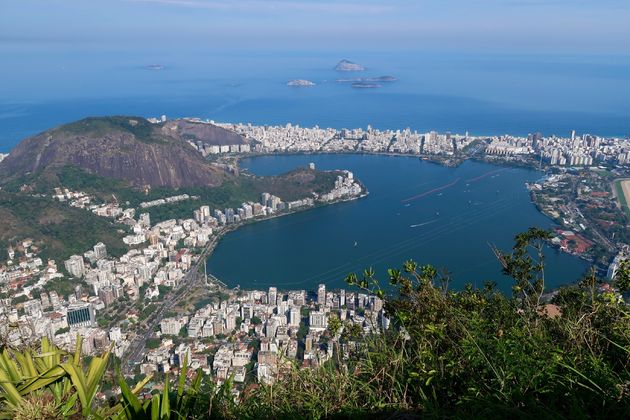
(128, 148)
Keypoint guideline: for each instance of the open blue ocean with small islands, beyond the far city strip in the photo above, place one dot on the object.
(483, 94)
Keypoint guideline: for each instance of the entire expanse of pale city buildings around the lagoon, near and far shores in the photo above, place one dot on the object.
(158, 307)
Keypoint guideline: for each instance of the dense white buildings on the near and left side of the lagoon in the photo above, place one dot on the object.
(109, 301)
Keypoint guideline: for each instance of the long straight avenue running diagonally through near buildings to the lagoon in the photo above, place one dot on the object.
(136, 350)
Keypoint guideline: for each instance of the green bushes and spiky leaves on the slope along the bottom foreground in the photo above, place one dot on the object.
(473, 353)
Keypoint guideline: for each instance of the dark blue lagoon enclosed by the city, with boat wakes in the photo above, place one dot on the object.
(453, 228)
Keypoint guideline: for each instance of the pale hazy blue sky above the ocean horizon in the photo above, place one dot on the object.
(514, 26)
